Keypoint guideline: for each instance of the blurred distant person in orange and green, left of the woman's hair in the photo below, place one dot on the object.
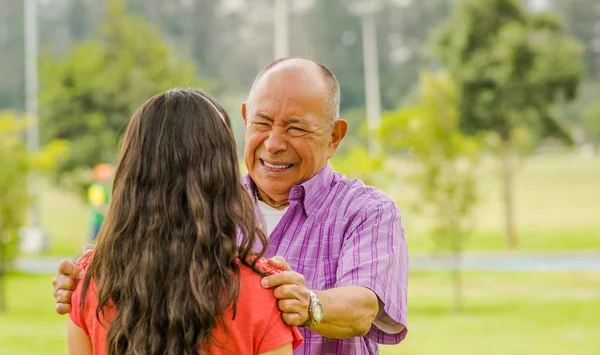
(98, 195)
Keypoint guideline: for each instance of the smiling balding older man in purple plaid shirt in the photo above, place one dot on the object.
(340, 241)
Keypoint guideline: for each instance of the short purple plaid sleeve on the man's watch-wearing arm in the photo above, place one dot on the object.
(375, 255)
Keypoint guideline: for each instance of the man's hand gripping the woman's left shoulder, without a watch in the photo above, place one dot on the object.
(65, 282)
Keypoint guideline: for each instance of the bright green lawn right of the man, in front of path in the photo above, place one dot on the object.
(505, 313)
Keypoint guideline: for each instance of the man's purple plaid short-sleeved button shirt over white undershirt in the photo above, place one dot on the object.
(339, 232)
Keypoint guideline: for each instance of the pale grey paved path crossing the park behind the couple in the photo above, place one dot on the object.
(472, 261)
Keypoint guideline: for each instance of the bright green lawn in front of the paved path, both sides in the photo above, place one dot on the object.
(504, 313)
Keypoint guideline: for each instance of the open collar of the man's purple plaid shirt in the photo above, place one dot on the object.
(306, 194)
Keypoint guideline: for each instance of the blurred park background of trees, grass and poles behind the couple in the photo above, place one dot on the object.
(480, 118)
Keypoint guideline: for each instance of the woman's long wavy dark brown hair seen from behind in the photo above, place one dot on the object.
(178, 222)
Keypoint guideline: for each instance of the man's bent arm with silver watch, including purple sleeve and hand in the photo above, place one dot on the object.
(371, 282)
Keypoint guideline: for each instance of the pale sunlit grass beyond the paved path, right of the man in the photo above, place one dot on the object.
(557, 205)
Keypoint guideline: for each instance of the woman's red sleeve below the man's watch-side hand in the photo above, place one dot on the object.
(278, 333)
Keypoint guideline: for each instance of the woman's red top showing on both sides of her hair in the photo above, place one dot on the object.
(257, 327)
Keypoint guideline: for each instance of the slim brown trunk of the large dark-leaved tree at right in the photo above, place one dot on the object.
(507, 185)
